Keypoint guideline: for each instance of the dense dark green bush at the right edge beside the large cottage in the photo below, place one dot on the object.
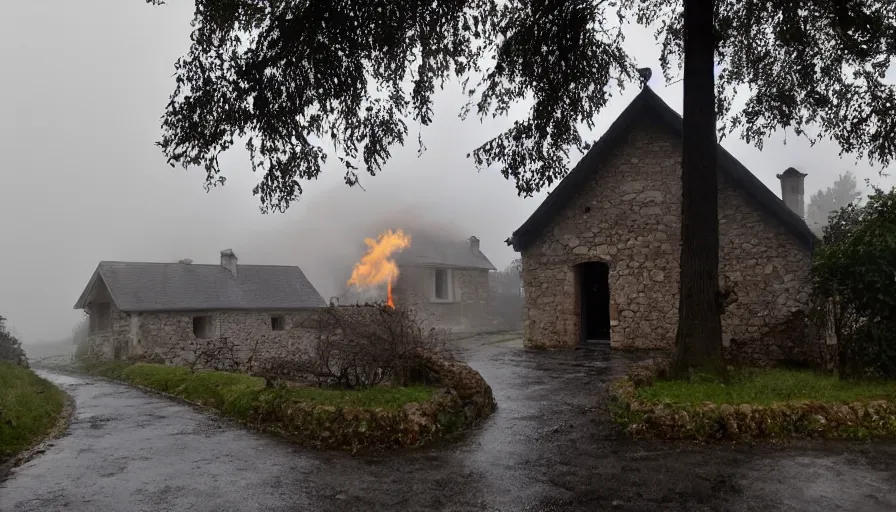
(854, 286)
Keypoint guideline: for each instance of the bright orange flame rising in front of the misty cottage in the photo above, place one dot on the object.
(377, 267)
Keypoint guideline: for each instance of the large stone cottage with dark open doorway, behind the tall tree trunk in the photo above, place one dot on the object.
(600, 254)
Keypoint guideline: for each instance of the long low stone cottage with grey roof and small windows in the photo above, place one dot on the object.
(146, 308)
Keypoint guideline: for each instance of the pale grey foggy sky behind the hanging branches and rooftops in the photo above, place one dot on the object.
(84, 85)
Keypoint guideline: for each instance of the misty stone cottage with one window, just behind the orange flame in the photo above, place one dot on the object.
(446, 281)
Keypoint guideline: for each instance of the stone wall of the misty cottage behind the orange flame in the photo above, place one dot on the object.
(469, 310)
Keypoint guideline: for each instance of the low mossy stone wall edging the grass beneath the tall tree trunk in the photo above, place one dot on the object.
(744, 422)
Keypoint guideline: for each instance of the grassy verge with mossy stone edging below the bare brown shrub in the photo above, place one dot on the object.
(383, 417)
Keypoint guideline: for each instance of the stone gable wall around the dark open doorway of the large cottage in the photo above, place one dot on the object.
(629, 218)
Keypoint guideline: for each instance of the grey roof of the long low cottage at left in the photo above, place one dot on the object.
(161, 287)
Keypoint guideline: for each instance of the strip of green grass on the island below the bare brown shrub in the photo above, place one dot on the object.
(235, 393)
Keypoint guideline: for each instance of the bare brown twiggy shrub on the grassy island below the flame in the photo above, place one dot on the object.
(358, 347)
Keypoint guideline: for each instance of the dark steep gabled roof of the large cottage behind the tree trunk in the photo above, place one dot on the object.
(647, 103)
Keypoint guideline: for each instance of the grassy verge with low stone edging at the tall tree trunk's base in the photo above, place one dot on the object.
(759, 404)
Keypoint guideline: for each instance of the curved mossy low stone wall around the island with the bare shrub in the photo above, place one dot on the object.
(462, 401)
